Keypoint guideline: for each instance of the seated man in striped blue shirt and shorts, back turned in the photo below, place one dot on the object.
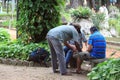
(96, 47)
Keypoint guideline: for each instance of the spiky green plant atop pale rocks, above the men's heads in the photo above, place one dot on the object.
(80, 12)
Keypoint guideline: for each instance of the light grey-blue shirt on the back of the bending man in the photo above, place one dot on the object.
(64, 33)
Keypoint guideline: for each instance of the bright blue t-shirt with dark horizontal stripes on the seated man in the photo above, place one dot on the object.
(98, 42)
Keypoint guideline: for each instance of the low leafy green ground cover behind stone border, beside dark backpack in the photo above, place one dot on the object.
(18, 50)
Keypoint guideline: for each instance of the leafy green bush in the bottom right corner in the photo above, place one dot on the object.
(108, 70)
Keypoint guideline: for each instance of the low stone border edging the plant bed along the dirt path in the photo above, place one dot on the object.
(16, 62)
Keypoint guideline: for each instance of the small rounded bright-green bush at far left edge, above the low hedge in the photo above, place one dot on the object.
(4, 35)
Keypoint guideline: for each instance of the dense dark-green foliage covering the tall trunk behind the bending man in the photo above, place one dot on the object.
(36, 17)
